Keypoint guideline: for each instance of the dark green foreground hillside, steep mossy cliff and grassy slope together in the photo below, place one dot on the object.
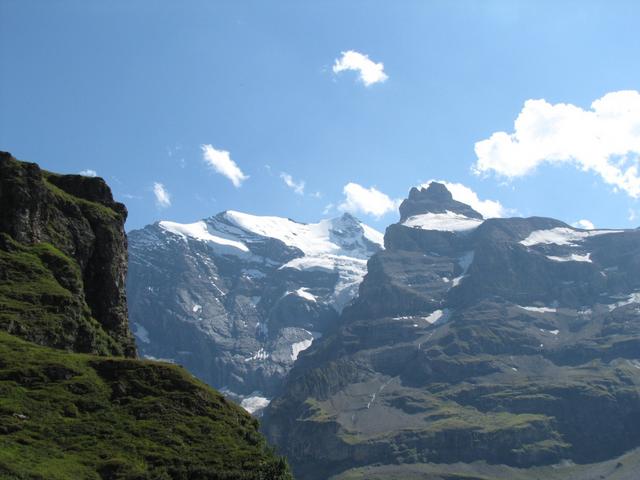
(74, 402)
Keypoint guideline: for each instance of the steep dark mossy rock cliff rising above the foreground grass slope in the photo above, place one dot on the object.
(78, 217)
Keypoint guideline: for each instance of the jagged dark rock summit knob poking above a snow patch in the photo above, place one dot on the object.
(436, 198)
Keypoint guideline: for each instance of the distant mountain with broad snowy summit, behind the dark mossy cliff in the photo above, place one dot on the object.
(236, 297)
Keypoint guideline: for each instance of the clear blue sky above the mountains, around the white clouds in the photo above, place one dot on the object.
(134, 89)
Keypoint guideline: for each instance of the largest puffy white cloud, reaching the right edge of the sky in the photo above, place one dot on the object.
(604, 139)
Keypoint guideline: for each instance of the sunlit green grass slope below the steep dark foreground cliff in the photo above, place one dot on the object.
(70, 416)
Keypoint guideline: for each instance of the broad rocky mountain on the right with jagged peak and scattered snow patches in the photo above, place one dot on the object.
(509, 341)
